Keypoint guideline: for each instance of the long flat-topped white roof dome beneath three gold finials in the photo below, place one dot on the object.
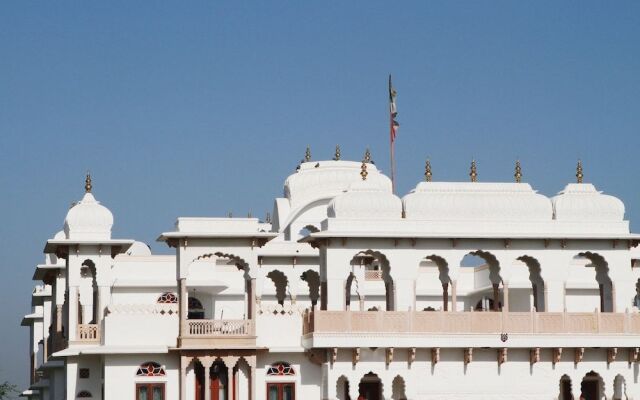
(476, 201)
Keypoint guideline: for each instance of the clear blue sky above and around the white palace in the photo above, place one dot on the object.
(201, 108)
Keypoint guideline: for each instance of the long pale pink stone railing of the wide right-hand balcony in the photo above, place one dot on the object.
(470, 322)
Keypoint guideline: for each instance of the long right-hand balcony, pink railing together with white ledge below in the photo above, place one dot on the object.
(473, 329)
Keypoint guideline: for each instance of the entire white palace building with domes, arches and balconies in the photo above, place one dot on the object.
(458, 290)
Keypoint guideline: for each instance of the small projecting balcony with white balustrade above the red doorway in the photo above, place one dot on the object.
(218, 333)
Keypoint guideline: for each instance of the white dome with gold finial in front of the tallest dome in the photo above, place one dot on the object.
(365, 199)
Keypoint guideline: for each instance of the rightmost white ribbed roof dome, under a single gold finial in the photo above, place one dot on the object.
(582, 202)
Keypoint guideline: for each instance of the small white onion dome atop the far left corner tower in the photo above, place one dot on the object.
(88, 220)
